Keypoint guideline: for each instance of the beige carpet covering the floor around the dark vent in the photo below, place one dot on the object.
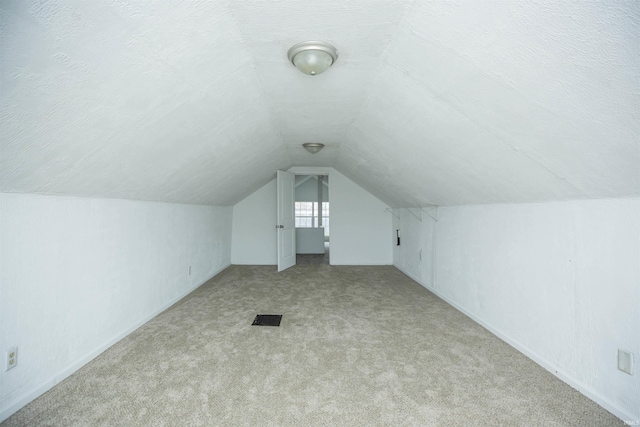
(358, 346)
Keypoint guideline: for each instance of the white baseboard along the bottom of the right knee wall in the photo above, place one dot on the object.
(621, 413)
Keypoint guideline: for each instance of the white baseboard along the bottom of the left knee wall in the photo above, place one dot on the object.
(56, 379)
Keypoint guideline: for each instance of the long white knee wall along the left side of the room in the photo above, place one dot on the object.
(79, 274)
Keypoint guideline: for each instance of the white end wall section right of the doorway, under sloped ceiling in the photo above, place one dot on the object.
(359, 225)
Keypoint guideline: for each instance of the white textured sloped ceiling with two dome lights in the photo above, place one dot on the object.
(429, 103)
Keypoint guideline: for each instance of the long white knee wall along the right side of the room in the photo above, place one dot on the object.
(559, 281)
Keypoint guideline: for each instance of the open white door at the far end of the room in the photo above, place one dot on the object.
(286, 220)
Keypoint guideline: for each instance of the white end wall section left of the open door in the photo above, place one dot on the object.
(254, 240)
